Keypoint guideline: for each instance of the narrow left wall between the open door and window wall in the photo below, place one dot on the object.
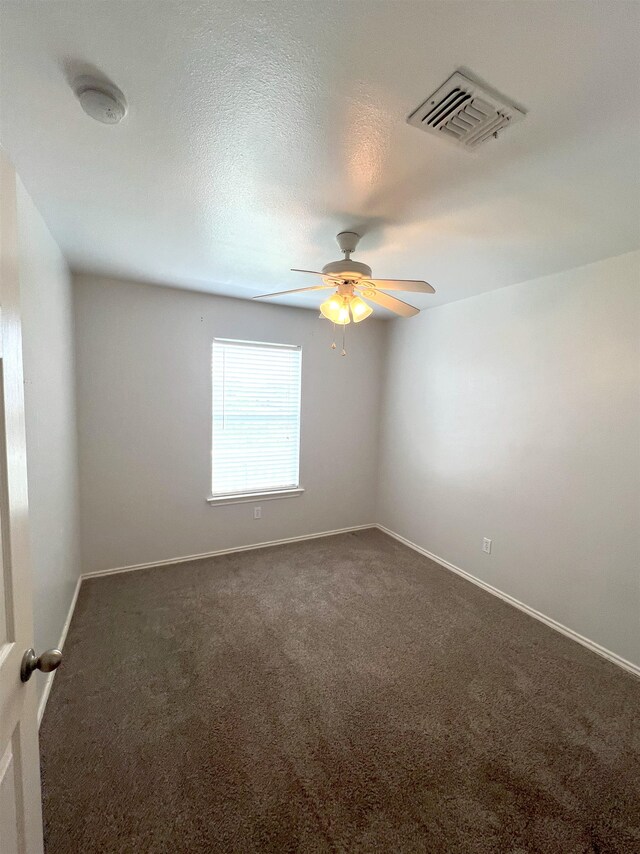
(49, 375)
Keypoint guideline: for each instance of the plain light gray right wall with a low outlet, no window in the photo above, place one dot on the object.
(515, 415)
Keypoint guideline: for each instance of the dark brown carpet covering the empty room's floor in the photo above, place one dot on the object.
(343, 694)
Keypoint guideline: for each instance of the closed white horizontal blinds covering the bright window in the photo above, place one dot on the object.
(256, 417)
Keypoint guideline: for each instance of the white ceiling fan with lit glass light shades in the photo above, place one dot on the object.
(351, 281)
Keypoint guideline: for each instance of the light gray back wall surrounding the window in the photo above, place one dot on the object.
(144, 420)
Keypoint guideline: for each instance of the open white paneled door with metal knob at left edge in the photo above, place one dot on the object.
(20, 805)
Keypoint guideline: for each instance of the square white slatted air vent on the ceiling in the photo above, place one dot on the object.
(465, 112)
